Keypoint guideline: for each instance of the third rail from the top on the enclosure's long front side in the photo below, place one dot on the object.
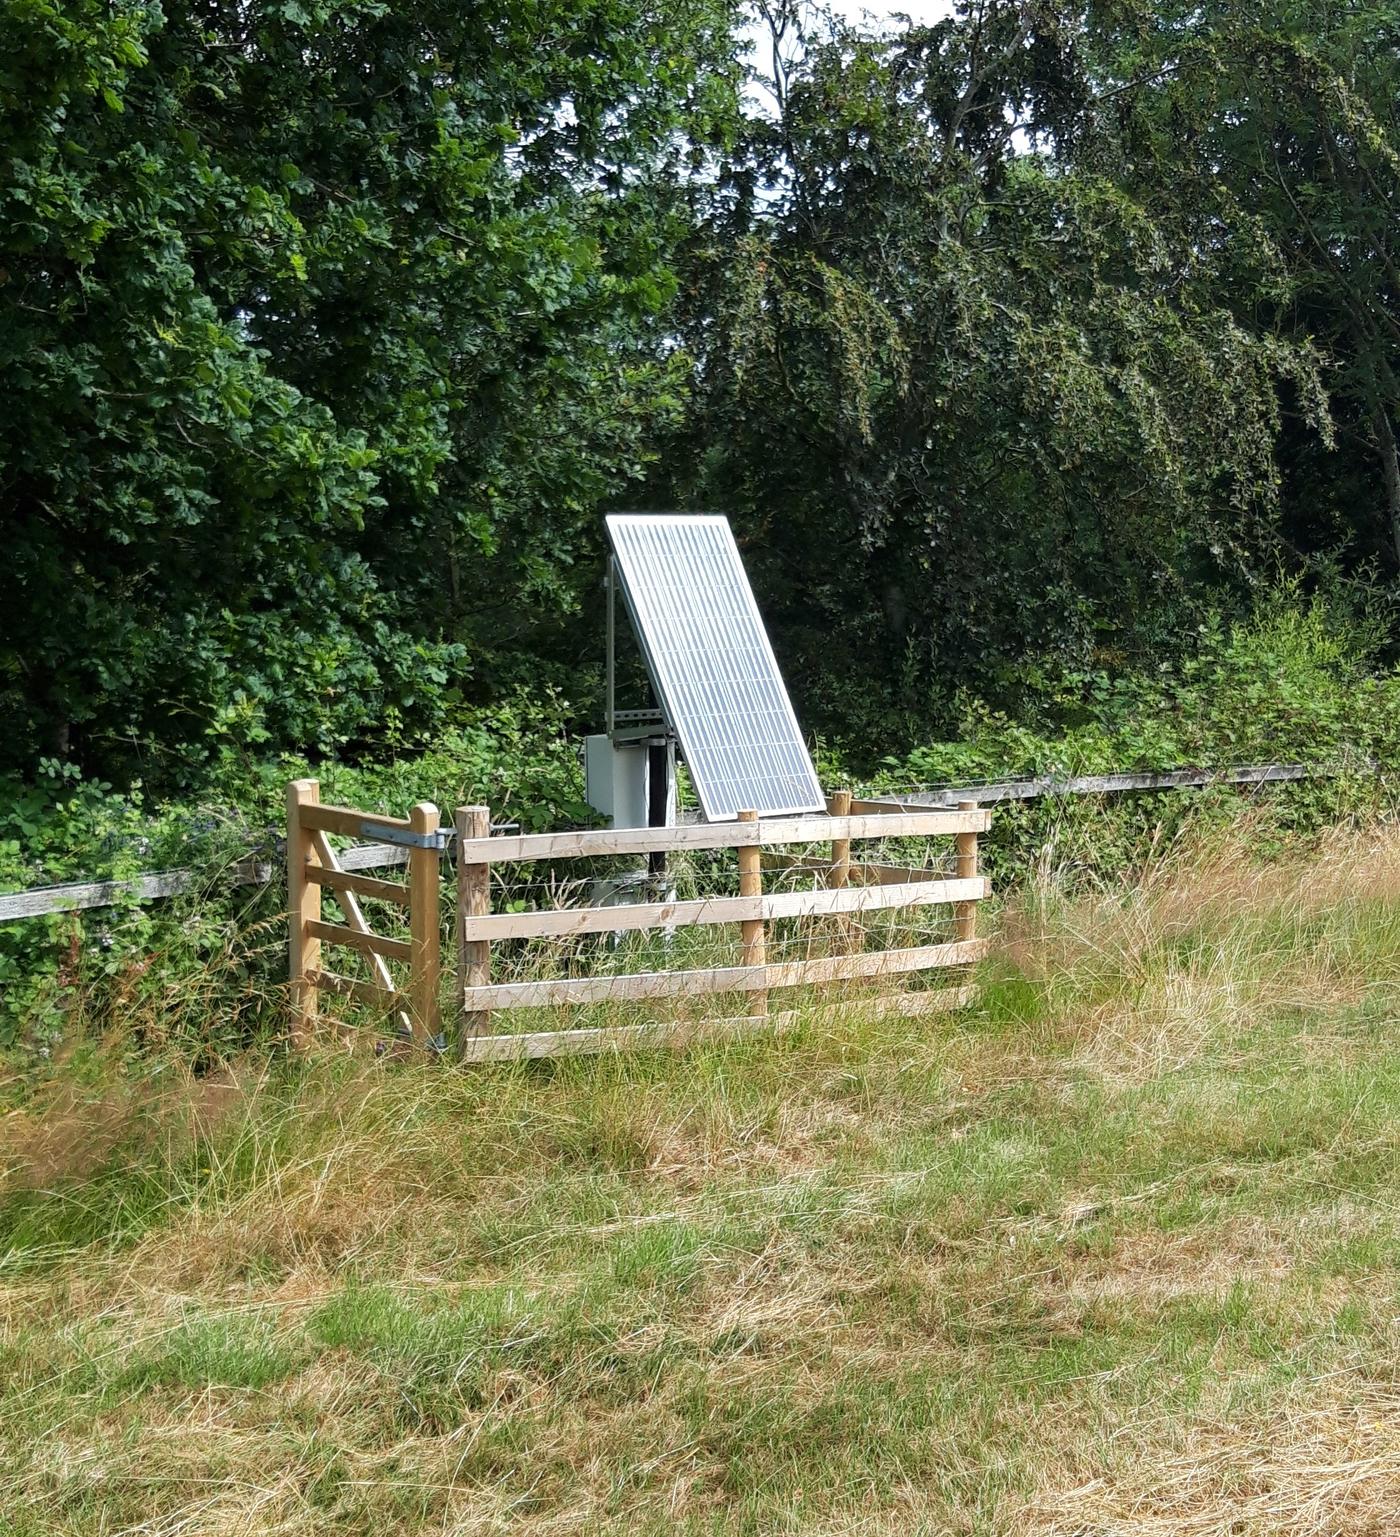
(722, 980)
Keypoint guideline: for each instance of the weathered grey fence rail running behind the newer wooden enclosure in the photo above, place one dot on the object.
(171, 883)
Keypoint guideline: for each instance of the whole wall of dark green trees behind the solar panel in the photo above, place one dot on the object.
(330, 328)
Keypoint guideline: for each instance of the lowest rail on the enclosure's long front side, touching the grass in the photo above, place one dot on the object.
(674, 1035)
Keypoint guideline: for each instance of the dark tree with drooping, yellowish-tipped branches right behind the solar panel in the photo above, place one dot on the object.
(978, 411)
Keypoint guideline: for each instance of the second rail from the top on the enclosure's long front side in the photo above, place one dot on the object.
(569, 921)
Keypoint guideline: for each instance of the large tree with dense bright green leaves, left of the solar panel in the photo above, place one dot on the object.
(323, 324)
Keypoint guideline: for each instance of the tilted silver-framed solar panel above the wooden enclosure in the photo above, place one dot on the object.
(712, 666)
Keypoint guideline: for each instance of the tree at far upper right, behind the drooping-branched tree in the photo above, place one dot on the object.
(1270, 133)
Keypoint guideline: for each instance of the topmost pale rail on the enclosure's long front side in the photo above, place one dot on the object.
(725, 835)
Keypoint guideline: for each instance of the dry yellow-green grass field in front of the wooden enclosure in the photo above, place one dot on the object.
(1118, 1250)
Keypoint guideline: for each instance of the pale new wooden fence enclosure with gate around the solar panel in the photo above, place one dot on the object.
(843, 889)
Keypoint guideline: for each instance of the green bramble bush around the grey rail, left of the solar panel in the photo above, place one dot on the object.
(64, 829)
